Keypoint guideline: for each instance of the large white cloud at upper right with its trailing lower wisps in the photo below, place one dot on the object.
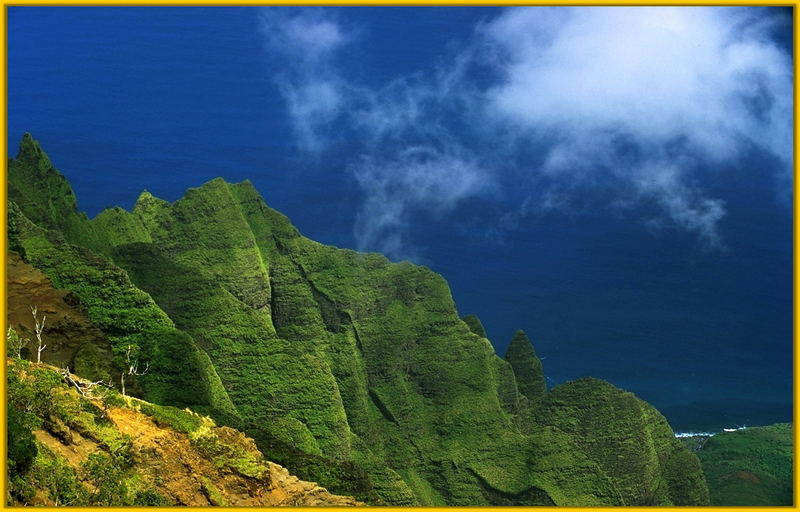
(677, 85)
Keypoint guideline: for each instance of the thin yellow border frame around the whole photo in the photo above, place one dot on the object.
(152, 3)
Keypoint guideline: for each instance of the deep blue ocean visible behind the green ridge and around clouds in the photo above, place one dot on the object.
(126, 99)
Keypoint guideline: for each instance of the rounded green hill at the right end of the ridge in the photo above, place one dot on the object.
(628, 439)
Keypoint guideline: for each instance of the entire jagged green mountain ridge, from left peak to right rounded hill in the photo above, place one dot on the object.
(345, 368)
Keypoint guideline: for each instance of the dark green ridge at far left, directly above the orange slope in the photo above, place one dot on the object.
(179, 373)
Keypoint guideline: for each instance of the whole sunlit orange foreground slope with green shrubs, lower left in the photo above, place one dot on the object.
(95, 447)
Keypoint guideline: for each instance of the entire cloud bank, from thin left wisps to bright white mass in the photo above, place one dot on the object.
(554, 101)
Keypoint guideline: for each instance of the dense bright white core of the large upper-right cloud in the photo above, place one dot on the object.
(655, 72)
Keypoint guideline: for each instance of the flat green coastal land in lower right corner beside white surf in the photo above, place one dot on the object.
(750, 467)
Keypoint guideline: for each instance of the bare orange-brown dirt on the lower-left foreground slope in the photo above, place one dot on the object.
(208, 465)
